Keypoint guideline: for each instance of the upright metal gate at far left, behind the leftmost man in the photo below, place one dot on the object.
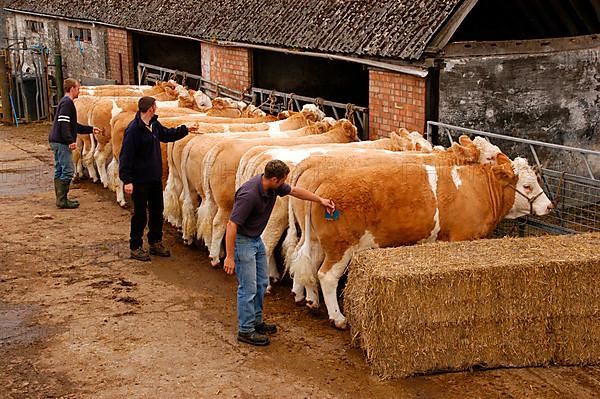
(28, 70)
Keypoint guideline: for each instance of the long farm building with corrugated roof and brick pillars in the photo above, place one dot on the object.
(407, 62)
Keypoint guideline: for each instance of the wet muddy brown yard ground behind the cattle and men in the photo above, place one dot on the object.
(79, 319)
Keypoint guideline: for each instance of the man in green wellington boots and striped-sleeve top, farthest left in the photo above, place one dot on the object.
(62, 138)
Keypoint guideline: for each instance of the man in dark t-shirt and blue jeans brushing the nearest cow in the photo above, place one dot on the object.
(252, 207)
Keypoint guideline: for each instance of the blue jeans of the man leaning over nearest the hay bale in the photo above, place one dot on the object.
(251, 271)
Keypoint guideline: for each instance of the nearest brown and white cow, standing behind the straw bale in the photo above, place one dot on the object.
(407, 203)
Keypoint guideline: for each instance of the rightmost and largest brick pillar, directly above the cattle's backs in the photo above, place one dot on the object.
(395, 100)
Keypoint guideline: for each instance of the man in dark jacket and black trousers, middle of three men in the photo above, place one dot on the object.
(140, 169)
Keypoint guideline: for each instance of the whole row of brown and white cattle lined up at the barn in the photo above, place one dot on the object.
(389, 192)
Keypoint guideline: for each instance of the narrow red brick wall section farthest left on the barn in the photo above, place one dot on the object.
(119, 42)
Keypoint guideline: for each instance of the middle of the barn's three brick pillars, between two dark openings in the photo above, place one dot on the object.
(229, 66)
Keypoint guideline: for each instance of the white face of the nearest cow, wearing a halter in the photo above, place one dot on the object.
(528, 186)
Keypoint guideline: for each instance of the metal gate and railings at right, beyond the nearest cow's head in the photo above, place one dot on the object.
(569, 175)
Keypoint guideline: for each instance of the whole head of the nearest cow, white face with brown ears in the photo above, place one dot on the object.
(530, 198)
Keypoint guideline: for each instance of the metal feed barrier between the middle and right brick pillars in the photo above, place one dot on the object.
(275, 101)
